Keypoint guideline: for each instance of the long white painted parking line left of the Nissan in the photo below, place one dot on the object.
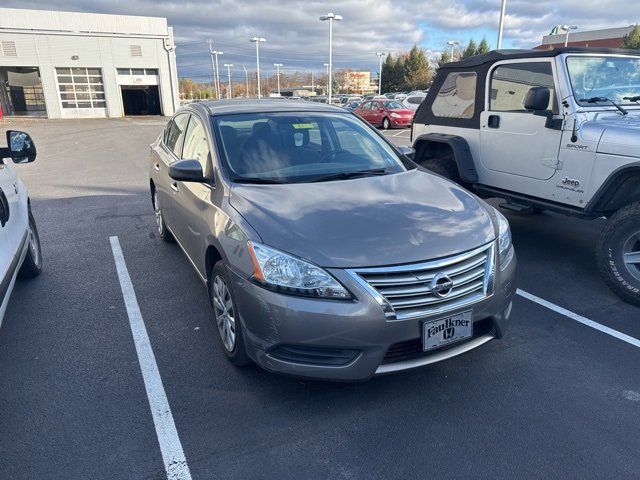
(175, 462)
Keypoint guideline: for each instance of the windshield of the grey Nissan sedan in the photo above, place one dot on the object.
(304, 147)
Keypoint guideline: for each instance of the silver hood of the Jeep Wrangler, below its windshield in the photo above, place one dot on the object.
(619, 135)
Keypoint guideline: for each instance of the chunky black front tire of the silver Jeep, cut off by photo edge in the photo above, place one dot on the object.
(618, 253)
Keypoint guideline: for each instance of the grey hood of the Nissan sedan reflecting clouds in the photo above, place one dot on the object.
(385, 220)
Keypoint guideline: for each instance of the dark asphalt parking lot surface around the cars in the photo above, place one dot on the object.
(556, 398)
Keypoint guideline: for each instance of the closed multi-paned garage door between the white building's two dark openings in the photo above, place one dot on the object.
(81, 87)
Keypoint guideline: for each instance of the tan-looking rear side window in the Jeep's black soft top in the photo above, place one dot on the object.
(457, 96)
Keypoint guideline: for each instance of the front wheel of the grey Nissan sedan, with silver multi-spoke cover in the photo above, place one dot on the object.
(225, 315)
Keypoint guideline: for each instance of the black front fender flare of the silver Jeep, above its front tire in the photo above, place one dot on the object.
(621, 188)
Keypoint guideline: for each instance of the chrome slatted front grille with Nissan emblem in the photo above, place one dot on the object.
(407, 291)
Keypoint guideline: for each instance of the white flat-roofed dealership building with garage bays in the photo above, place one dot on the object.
(70, 65)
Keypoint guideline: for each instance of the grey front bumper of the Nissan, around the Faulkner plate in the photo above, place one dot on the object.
(352, 340)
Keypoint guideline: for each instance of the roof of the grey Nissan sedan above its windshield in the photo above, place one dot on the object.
(227, 107)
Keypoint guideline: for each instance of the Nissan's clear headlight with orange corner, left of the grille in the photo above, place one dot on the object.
(284, 273)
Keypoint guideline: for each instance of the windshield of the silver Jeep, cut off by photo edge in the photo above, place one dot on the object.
(613, 78)
